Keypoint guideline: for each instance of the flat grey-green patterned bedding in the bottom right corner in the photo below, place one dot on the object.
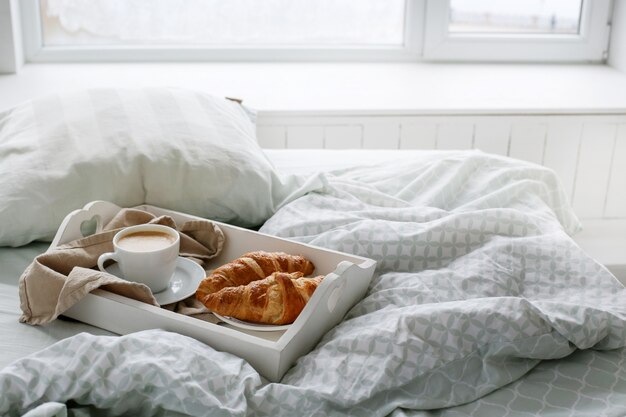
(586, 383)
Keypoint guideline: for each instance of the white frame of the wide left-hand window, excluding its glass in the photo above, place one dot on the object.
(35, 51)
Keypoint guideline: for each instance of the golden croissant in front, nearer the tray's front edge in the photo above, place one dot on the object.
(277, 299)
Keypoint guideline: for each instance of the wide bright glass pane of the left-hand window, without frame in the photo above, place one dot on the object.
(223, 22)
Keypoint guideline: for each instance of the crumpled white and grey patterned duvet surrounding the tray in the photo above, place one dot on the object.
(477, 282)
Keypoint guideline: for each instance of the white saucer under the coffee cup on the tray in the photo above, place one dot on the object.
(183, 284)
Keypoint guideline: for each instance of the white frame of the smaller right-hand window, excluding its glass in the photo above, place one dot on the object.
(589, 45)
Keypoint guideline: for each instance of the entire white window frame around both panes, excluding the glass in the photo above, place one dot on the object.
(426, 38)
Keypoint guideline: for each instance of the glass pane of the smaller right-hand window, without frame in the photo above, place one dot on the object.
(515, 16)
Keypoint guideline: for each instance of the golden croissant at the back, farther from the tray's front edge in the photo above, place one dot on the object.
(250, 267)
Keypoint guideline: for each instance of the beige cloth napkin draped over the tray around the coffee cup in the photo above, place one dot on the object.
(60, 277)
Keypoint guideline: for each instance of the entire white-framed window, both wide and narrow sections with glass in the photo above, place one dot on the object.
(364, 30)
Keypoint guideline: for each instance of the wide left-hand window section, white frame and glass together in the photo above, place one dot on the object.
(222, 29)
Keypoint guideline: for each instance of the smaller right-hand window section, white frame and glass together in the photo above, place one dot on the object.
(517, 30)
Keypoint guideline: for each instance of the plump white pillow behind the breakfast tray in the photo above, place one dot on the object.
(172, 148)
